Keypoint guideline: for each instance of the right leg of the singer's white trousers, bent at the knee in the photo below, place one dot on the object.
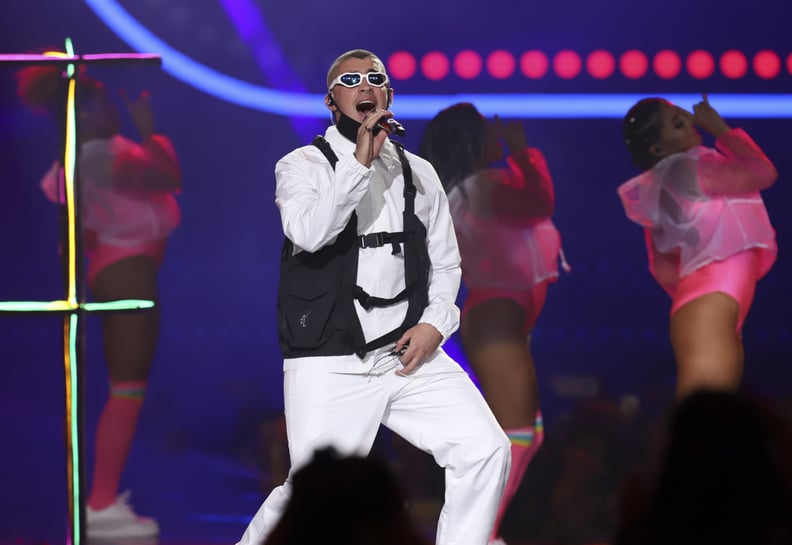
(444, 414)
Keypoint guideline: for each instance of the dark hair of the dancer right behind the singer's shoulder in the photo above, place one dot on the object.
(454, 143)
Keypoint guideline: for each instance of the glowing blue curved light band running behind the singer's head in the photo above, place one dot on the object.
(290, 103)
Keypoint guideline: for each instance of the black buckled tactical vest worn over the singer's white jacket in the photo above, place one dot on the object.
(316, 294)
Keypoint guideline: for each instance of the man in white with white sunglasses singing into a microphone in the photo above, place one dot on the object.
(369, 274)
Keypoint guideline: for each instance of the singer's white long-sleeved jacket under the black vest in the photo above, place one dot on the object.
(316, 202)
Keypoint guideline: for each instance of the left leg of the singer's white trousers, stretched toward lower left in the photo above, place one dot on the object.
(322, 409)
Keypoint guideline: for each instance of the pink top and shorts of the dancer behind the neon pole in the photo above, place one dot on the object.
(128, 198)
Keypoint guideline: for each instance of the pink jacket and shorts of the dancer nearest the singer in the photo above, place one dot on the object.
(509, 246)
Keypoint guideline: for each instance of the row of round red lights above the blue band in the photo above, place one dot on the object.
(599, 64)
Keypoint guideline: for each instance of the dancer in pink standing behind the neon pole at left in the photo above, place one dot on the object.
(128, 212)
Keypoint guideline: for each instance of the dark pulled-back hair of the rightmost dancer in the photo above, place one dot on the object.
(641, 130)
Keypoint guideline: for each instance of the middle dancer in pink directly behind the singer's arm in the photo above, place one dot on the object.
(510, 251)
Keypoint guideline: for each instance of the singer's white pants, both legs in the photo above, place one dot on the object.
(438, 409)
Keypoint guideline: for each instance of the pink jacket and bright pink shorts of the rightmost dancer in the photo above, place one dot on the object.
(707, 229)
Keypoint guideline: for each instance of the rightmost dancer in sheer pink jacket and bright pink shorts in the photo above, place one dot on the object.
(708, 235)
